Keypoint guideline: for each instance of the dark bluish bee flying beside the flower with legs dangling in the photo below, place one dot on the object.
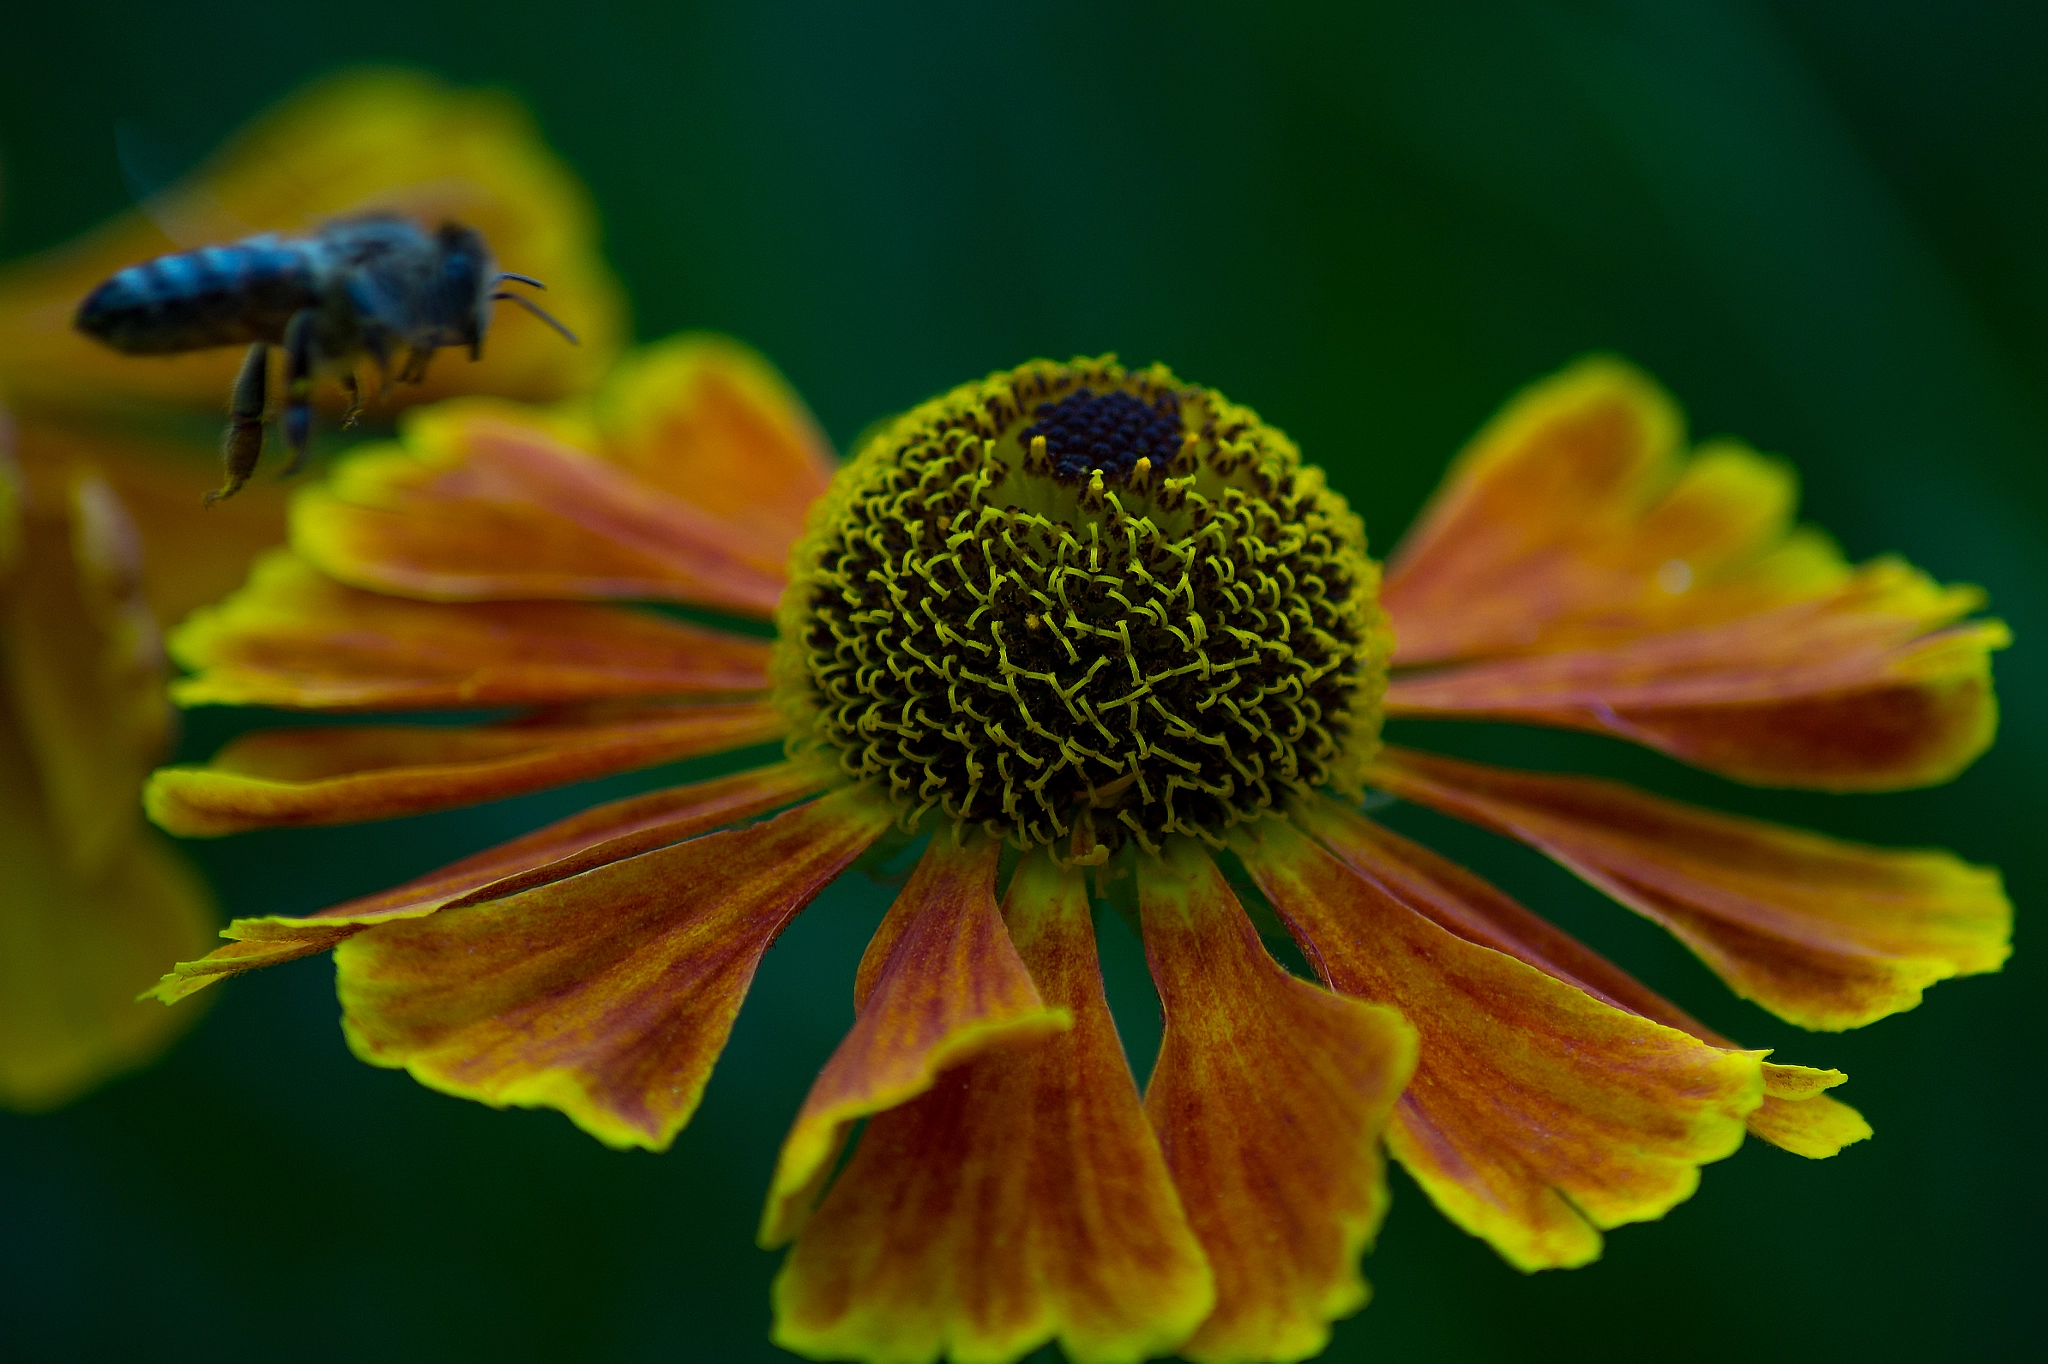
(372, 286)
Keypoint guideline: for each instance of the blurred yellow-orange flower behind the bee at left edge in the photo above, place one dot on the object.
(99, 495)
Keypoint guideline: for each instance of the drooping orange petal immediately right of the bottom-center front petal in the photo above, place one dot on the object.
(1271, 1099)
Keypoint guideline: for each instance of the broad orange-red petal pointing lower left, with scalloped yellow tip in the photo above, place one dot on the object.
(605, 996)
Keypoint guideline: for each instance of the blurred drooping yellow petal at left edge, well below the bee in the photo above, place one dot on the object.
(89, 898)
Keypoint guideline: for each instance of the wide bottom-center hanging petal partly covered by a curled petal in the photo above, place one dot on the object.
(1023, 1199)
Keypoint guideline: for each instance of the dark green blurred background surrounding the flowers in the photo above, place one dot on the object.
(1824, 224)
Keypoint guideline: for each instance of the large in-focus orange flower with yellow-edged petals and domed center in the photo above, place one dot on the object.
(1107, 638)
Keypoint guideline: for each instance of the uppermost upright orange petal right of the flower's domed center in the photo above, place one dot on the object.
(1578, 519)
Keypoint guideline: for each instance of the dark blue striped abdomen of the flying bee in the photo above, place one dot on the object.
(218, 296)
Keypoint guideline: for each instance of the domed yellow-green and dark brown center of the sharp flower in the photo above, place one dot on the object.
(1070, 595)
